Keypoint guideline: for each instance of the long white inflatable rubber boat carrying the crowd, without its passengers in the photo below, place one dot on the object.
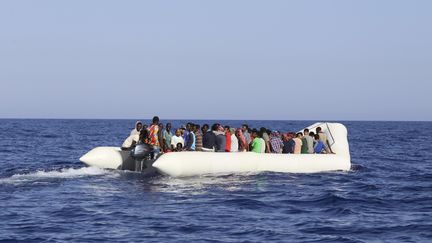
(181, 164)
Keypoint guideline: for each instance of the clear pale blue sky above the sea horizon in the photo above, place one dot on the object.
(320, 60)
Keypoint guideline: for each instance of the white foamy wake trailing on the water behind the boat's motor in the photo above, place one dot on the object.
(54, 174)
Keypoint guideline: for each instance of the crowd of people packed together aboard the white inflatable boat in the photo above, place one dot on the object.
(219, 138)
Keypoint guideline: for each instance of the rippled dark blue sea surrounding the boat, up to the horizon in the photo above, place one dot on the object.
(48, 195)
